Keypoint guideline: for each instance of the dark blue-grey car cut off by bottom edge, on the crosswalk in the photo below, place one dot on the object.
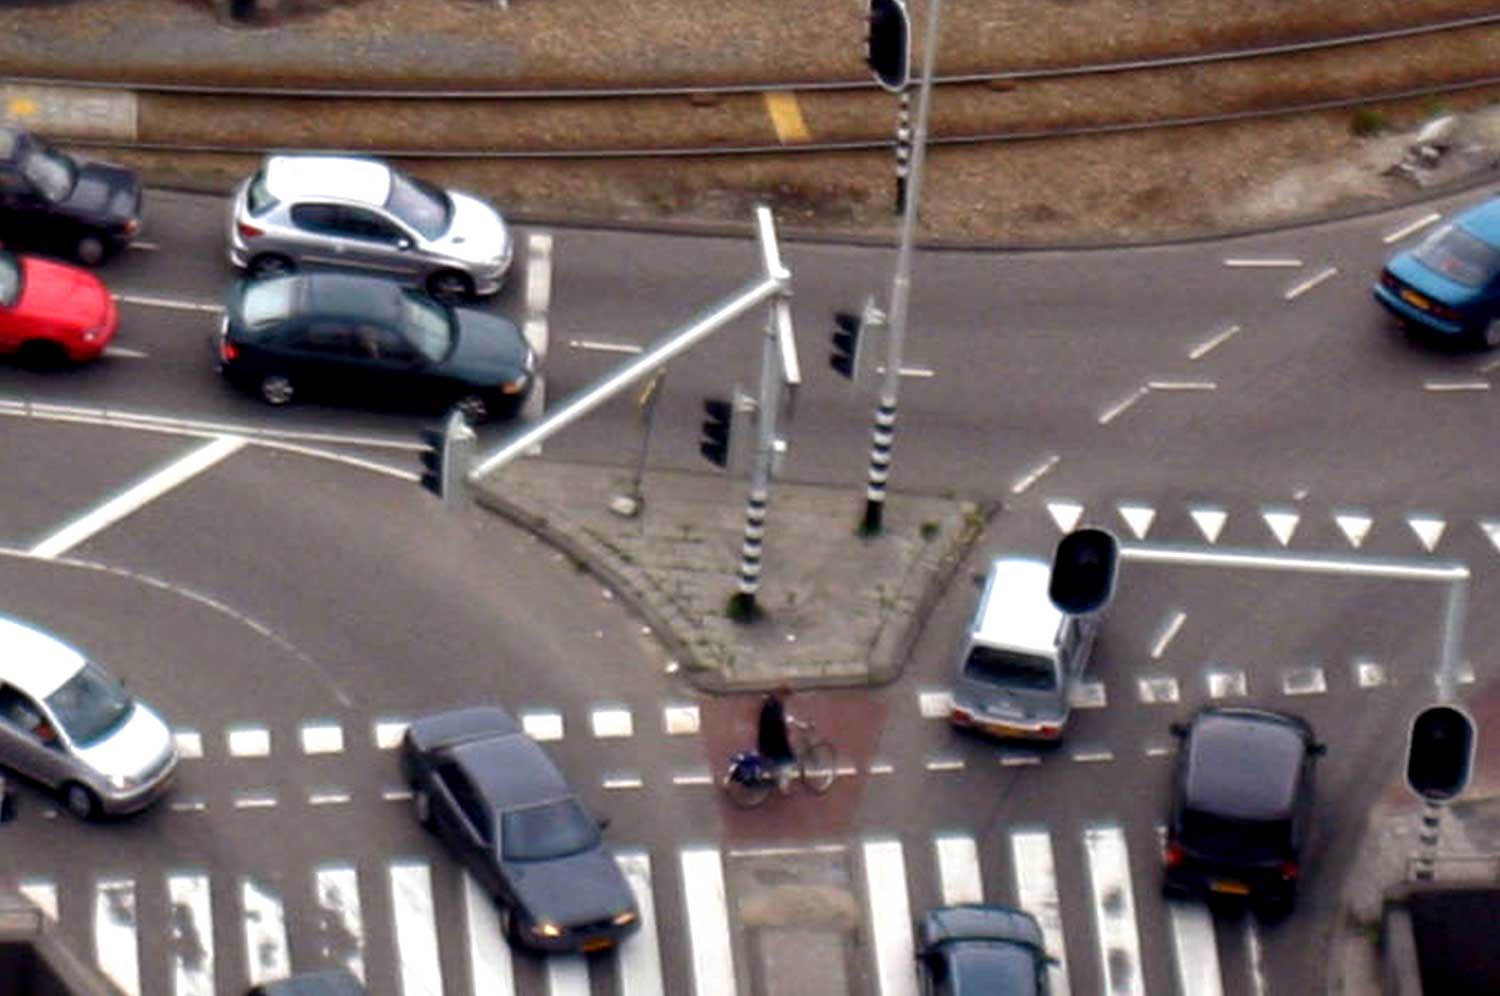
(974, 950)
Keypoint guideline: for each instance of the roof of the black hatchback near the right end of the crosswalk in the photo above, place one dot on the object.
(1244, 764)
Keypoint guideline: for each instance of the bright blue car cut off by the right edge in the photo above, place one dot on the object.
(1451, 283)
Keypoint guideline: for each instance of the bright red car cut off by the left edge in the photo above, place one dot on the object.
(53, 313)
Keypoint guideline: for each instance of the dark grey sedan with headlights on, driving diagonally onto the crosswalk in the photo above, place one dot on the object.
(500, 805)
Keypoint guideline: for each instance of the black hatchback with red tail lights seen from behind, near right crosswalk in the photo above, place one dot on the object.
(1241, 806)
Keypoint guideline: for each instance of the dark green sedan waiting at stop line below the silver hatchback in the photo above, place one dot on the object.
(338, 335)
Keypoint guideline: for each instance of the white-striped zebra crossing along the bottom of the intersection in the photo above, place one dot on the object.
(427, 946)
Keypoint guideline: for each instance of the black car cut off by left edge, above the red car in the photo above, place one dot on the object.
(62, 205)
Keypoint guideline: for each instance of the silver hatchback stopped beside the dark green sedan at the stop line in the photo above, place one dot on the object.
(352, 214)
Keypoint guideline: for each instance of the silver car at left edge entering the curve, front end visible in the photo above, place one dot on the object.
(70, 725)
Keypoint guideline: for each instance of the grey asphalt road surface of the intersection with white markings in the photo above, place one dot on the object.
(280, 596)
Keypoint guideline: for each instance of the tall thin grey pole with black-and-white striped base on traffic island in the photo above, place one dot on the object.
(884, 434)
